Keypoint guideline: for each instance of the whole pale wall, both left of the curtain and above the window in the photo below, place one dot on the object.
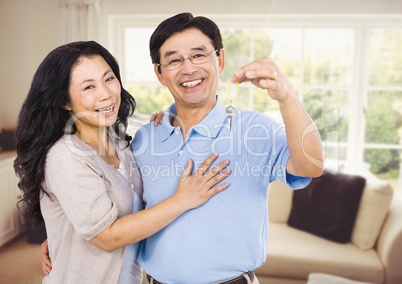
(29, 29)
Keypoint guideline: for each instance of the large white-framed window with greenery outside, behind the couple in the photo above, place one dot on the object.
(346, 71)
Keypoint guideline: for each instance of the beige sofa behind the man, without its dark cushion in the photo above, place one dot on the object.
(373, 255)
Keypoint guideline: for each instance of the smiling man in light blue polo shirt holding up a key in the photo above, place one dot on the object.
(225, 239)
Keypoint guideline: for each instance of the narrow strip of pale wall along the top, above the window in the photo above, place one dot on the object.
(252, 6)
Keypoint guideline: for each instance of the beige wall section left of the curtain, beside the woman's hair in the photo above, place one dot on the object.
(28, 31)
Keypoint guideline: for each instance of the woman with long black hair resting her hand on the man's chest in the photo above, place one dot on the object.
(78, 174)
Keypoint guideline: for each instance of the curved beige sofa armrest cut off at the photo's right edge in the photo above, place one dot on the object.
(389, 245)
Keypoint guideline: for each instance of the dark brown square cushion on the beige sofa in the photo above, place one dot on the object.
(328, 206)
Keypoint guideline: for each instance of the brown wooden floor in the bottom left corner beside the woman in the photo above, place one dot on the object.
(20, 262)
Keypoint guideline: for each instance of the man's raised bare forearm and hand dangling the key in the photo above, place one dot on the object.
(306, 154)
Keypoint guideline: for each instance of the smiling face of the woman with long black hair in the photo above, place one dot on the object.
(94, 93)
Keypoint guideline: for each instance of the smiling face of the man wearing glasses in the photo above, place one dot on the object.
(191, 85)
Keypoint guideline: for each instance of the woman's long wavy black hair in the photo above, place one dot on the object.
(43, 118)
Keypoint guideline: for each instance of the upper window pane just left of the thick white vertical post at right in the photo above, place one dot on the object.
(328, 56)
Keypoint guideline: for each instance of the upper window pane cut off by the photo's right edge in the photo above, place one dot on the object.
(385, 63)
